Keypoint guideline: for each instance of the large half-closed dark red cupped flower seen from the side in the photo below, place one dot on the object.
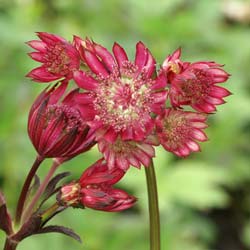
(56, 127)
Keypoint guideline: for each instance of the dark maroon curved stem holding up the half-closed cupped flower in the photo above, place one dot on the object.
(26, 185)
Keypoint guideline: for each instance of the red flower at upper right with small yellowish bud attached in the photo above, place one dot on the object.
(194, 84)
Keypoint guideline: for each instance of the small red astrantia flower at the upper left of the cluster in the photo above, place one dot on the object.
(58, 57)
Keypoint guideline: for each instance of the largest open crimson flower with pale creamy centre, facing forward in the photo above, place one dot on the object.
(122, 94)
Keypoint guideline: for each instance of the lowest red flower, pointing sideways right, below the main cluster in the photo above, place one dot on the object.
(95, 190)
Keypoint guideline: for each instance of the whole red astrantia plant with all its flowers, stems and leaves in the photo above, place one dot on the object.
(126, 107)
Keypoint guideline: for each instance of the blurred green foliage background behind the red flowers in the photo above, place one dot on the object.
(204, 199)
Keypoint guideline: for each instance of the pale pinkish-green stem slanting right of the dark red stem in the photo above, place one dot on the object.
(28, 212)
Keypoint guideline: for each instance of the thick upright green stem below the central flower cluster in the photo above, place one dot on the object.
(154, 215)
